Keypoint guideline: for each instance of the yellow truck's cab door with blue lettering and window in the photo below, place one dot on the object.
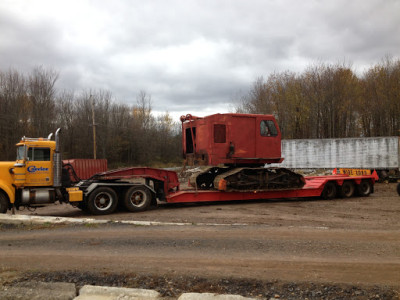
(39, 167)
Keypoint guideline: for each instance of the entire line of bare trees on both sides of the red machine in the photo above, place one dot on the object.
(324, 101)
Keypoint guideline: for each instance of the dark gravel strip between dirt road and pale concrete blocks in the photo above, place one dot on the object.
(174, 286)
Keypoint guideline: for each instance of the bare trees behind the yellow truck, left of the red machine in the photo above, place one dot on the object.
(126, 134)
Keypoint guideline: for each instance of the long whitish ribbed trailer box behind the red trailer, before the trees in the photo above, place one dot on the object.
(364, 153)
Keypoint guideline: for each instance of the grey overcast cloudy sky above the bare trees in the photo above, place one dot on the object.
(191, 56)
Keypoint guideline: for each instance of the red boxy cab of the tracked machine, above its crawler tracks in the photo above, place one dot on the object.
(231, 139)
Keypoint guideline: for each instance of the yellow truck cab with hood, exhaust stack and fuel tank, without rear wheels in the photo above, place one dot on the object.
(35, 177)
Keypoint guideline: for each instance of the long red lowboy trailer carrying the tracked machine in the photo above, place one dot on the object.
(167, 185)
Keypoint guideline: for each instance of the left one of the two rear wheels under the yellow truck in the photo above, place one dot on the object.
(102, 201)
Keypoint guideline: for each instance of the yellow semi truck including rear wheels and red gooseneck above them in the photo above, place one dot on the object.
(38, 177)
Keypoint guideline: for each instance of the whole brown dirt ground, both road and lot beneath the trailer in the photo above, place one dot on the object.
(353, 242)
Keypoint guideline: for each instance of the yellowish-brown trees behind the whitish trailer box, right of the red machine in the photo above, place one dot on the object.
(330, 100)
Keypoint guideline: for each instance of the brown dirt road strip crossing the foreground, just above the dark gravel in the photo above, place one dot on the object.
(310, 254)
